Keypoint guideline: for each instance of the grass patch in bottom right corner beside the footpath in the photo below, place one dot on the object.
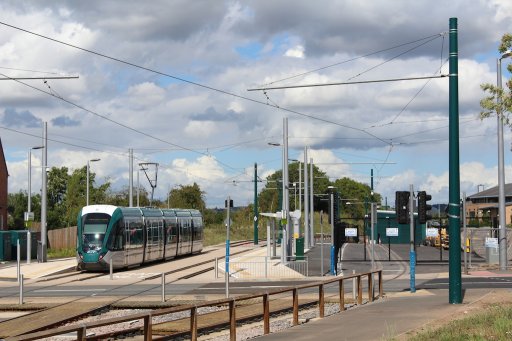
(495, 323)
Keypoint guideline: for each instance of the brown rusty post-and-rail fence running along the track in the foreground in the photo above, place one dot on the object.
(81, 329)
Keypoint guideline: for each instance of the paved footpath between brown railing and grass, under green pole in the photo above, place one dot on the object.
(390, 318)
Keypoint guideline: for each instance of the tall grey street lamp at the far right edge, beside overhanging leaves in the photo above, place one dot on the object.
(501, 171)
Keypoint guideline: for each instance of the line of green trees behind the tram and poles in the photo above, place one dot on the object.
(66, 195)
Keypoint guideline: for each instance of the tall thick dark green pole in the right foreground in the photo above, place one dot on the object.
(455, 281)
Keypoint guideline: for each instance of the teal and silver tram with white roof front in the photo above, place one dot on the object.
(131, 236)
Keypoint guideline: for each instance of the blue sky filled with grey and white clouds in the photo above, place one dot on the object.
(170, 80)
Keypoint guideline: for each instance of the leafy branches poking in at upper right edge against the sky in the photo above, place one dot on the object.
(490, 104)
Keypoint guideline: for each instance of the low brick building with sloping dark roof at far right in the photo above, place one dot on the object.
(483, 206)
